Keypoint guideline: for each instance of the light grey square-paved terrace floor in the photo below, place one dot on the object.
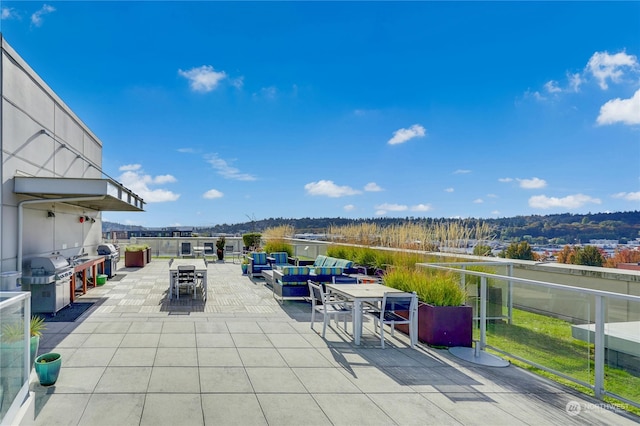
(242, 358)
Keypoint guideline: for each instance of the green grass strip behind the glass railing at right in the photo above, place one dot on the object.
(547, 341)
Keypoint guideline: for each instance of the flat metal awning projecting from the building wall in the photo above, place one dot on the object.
(100, 194)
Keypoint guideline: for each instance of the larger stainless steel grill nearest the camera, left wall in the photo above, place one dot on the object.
(48, 278)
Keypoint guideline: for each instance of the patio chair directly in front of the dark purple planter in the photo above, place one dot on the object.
(396, 308)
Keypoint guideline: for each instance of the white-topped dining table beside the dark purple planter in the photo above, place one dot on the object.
(359, 293)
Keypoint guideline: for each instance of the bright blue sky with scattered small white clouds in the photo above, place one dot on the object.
(217, 112)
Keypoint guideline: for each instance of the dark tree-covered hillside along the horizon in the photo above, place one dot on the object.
(563, 228)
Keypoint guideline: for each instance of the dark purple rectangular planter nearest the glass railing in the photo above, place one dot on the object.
(444, 325)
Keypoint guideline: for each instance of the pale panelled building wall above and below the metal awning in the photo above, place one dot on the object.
(29, 106)
